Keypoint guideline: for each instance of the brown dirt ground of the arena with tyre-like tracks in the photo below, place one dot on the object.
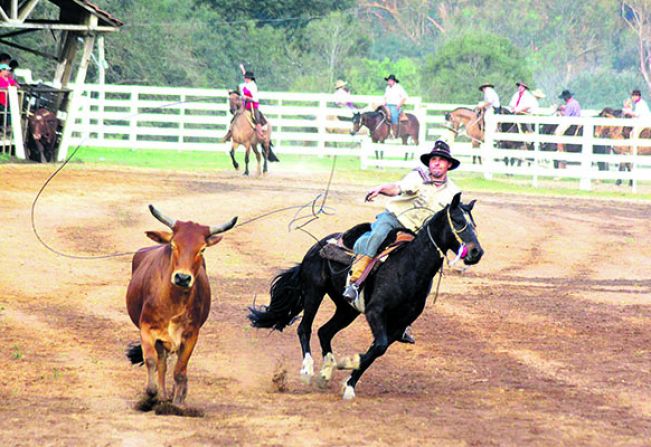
(546, 342)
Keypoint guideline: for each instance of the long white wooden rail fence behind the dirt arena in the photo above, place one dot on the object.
(195, 119)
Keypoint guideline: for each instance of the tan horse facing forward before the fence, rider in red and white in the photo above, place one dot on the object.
(242, 132)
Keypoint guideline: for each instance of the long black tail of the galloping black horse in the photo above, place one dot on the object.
(286, 302)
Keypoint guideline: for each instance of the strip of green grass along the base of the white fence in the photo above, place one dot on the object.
(346, 169)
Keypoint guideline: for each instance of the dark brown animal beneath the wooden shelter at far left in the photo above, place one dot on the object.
(42, 128)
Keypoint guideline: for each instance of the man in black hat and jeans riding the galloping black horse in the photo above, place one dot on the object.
(418, 196)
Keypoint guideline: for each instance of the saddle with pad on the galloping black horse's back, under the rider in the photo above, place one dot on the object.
(339, 247)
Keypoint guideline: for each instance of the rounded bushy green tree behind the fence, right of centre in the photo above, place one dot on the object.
(455, 71)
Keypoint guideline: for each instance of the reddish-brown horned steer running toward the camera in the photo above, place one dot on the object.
(169, 300)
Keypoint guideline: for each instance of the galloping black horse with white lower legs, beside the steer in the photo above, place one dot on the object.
(394, 297)
